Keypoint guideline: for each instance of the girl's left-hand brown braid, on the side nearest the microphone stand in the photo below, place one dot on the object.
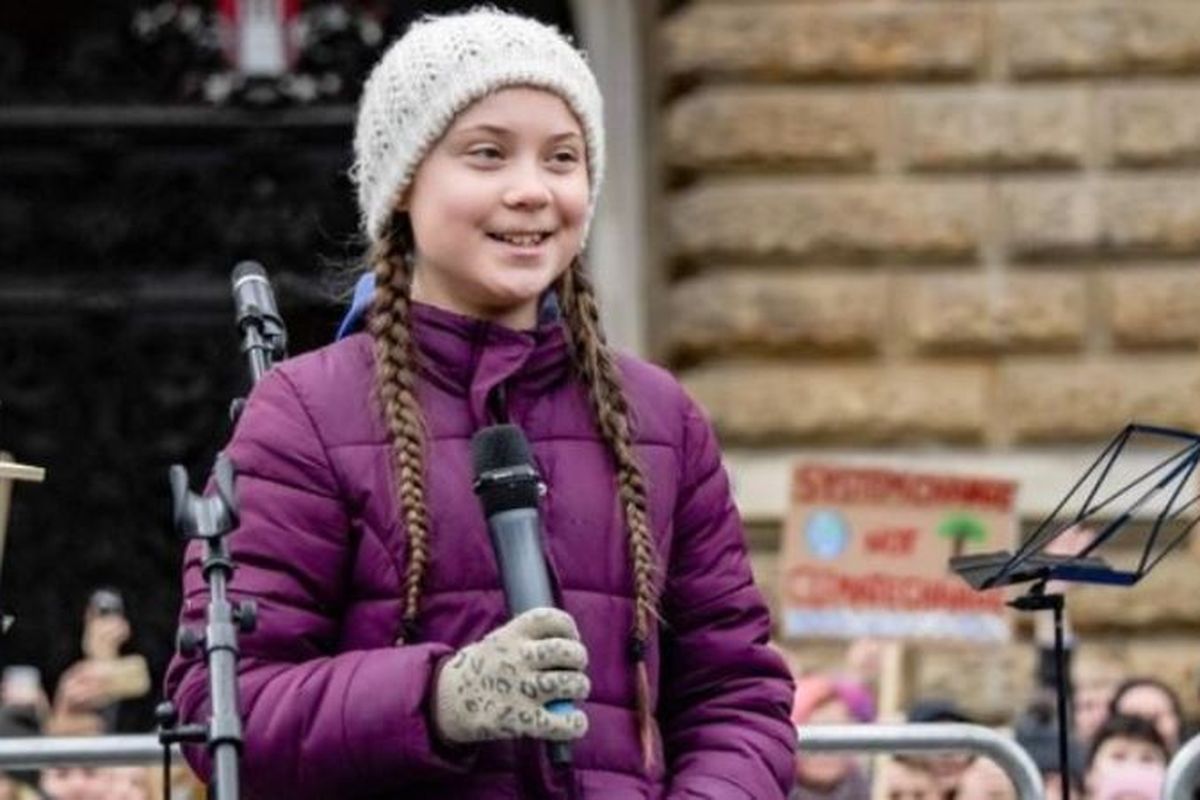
(397, 387)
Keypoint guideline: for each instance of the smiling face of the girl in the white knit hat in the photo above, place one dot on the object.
(499, 207)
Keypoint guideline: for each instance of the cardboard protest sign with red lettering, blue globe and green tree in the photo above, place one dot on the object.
(866, 552)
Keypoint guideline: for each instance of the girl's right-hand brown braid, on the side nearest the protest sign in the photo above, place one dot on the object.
(598, 370)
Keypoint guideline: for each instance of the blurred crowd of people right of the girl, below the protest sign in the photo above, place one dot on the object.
(1124, 731)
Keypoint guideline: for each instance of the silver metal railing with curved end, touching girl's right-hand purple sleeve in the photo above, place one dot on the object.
(929, 738)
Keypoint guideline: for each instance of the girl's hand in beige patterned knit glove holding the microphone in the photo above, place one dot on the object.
(499, 688)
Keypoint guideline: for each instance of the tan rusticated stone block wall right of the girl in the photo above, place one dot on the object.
(970, 225)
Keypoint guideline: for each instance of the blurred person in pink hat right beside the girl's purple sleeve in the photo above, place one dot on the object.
(823, 700)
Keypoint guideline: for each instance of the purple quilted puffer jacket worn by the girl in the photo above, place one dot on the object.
(335, 709)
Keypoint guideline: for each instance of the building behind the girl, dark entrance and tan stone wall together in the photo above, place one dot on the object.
(950, 234)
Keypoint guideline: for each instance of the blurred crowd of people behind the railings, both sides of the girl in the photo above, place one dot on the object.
(1125, 730)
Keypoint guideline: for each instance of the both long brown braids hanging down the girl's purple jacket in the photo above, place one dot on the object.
(397, 386)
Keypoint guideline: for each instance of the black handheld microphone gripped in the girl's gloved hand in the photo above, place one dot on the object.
(508, 486)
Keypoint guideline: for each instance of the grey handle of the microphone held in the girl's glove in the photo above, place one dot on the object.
(526, 581)
